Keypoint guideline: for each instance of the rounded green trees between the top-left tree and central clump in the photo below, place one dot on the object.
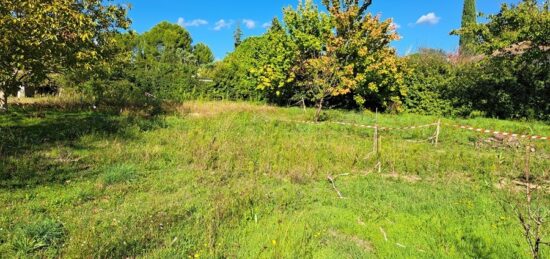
(159, 65)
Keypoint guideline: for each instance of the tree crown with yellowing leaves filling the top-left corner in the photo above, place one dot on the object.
(43, 37)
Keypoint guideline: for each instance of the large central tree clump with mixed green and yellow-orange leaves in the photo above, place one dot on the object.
(341, 57)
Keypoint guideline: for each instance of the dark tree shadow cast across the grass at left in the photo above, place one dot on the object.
(24, 135)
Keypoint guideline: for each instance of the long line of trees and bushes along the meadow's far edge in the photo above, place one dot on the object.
(336, 59)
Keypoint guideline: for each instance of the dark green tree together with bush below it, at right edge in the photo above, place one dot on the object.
(512, 80)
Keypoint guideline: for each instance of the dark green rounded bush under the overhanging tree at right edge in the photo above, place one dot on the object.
(502, 88)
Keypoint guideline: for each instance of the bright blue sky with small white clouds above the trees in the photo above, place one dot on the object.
(421, 23)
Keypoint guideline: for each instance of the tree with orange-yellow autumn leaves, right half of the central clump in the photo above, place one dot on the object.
(370, 69)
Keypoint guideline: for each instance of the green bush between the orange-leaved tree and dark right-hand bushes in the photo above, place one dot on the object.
(428, 83)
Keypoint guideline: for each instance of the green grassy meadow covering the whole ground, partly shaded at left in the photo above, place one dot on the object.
(222, 179)
